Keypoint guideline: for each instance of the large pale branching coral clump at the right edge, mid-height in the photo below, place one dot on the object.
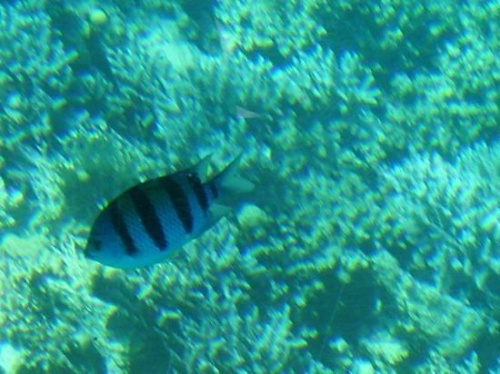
(444, 218)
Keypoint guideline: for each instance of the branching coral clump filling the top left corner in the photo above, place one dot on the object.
(34, 76)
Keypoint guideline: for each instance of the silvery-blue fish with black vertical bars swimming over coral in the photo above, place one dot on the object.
(148, 222)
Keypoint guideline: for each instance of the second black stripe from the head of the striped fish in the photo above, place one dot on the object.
(149, 218)
